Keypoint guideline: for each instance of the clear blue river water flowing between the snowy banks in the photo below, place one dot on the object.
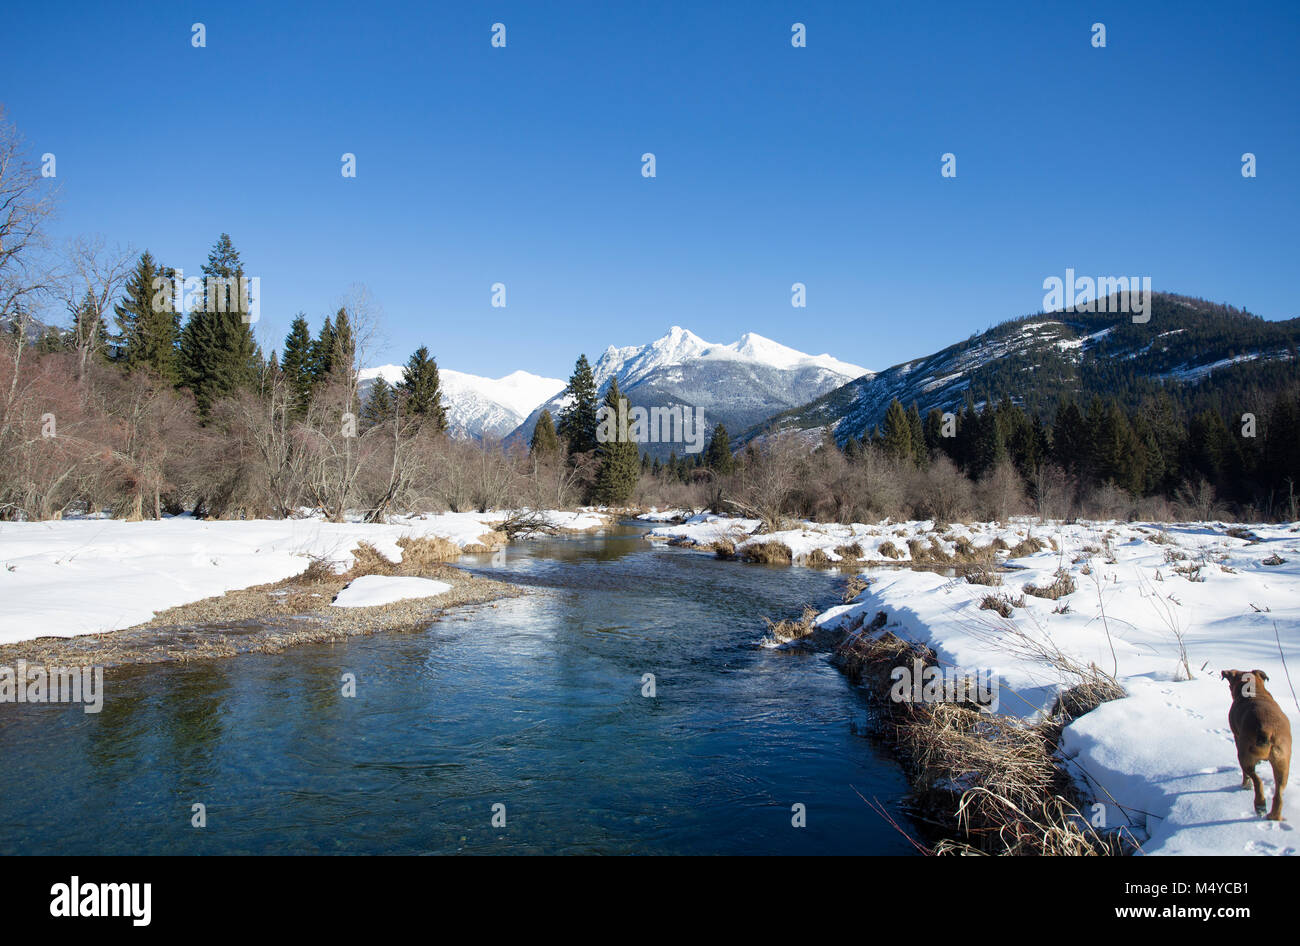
(535, 705)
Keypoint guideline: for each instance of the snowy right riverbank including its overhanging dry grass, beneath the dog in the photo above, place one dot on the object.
(1104, 646)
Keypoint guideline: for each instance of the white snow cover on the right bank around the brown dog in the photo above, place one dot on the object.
(1154, 605)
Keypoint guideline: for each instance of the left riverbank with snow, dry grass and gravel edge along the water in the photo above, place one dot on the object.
(153, 591)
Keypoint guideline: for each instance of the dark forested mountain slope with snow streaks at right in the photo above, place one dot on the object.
(1189, 346)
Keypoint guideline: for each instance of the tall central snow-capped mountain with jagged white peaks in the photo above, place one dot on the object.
(738, 384)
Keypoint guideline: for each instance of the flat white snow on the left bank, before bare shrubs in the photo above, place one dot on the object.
(63, 579)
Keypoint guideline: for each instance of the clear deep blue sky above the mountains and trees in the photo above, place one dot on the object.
(775, 164)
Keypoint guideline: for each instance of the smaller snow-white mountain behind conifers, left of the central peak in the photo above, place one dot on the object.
(480, 407)
